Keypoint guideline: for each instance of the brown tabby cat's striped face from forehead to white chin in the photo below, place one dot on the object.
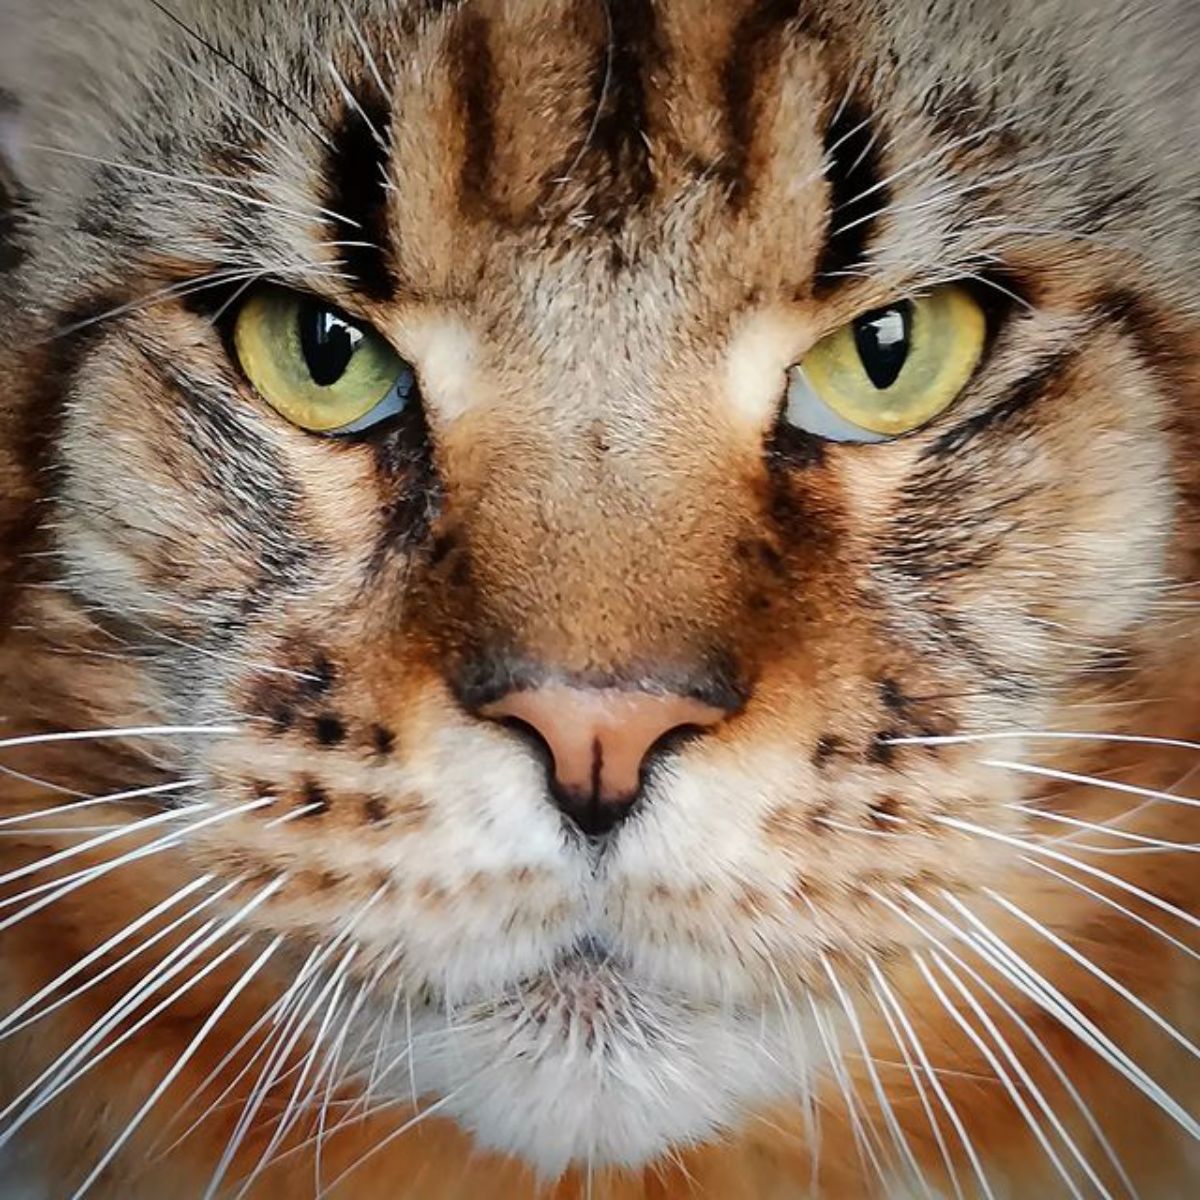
(590, 709)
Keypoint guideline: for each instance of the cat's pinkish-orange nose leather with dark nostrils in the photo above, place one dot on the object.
(599, 741)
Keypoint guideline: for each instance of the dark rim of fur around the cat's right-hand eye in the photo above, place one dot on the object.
(999, 292)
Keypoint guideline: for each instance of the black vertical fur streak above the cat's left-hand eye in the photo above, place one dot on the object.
(356, 176)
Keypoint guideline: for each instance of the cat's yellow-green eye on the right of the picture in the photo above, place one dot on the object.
(889, 371)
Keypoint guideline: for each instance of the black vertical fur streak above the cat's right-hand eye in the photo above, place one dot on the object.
(854, 171)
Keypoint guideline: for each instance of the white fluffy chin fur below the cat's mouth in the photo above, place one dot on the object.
(583, 1069)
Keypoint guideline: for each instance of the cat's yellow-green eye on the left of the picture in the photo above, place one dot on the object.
(316, 367)
